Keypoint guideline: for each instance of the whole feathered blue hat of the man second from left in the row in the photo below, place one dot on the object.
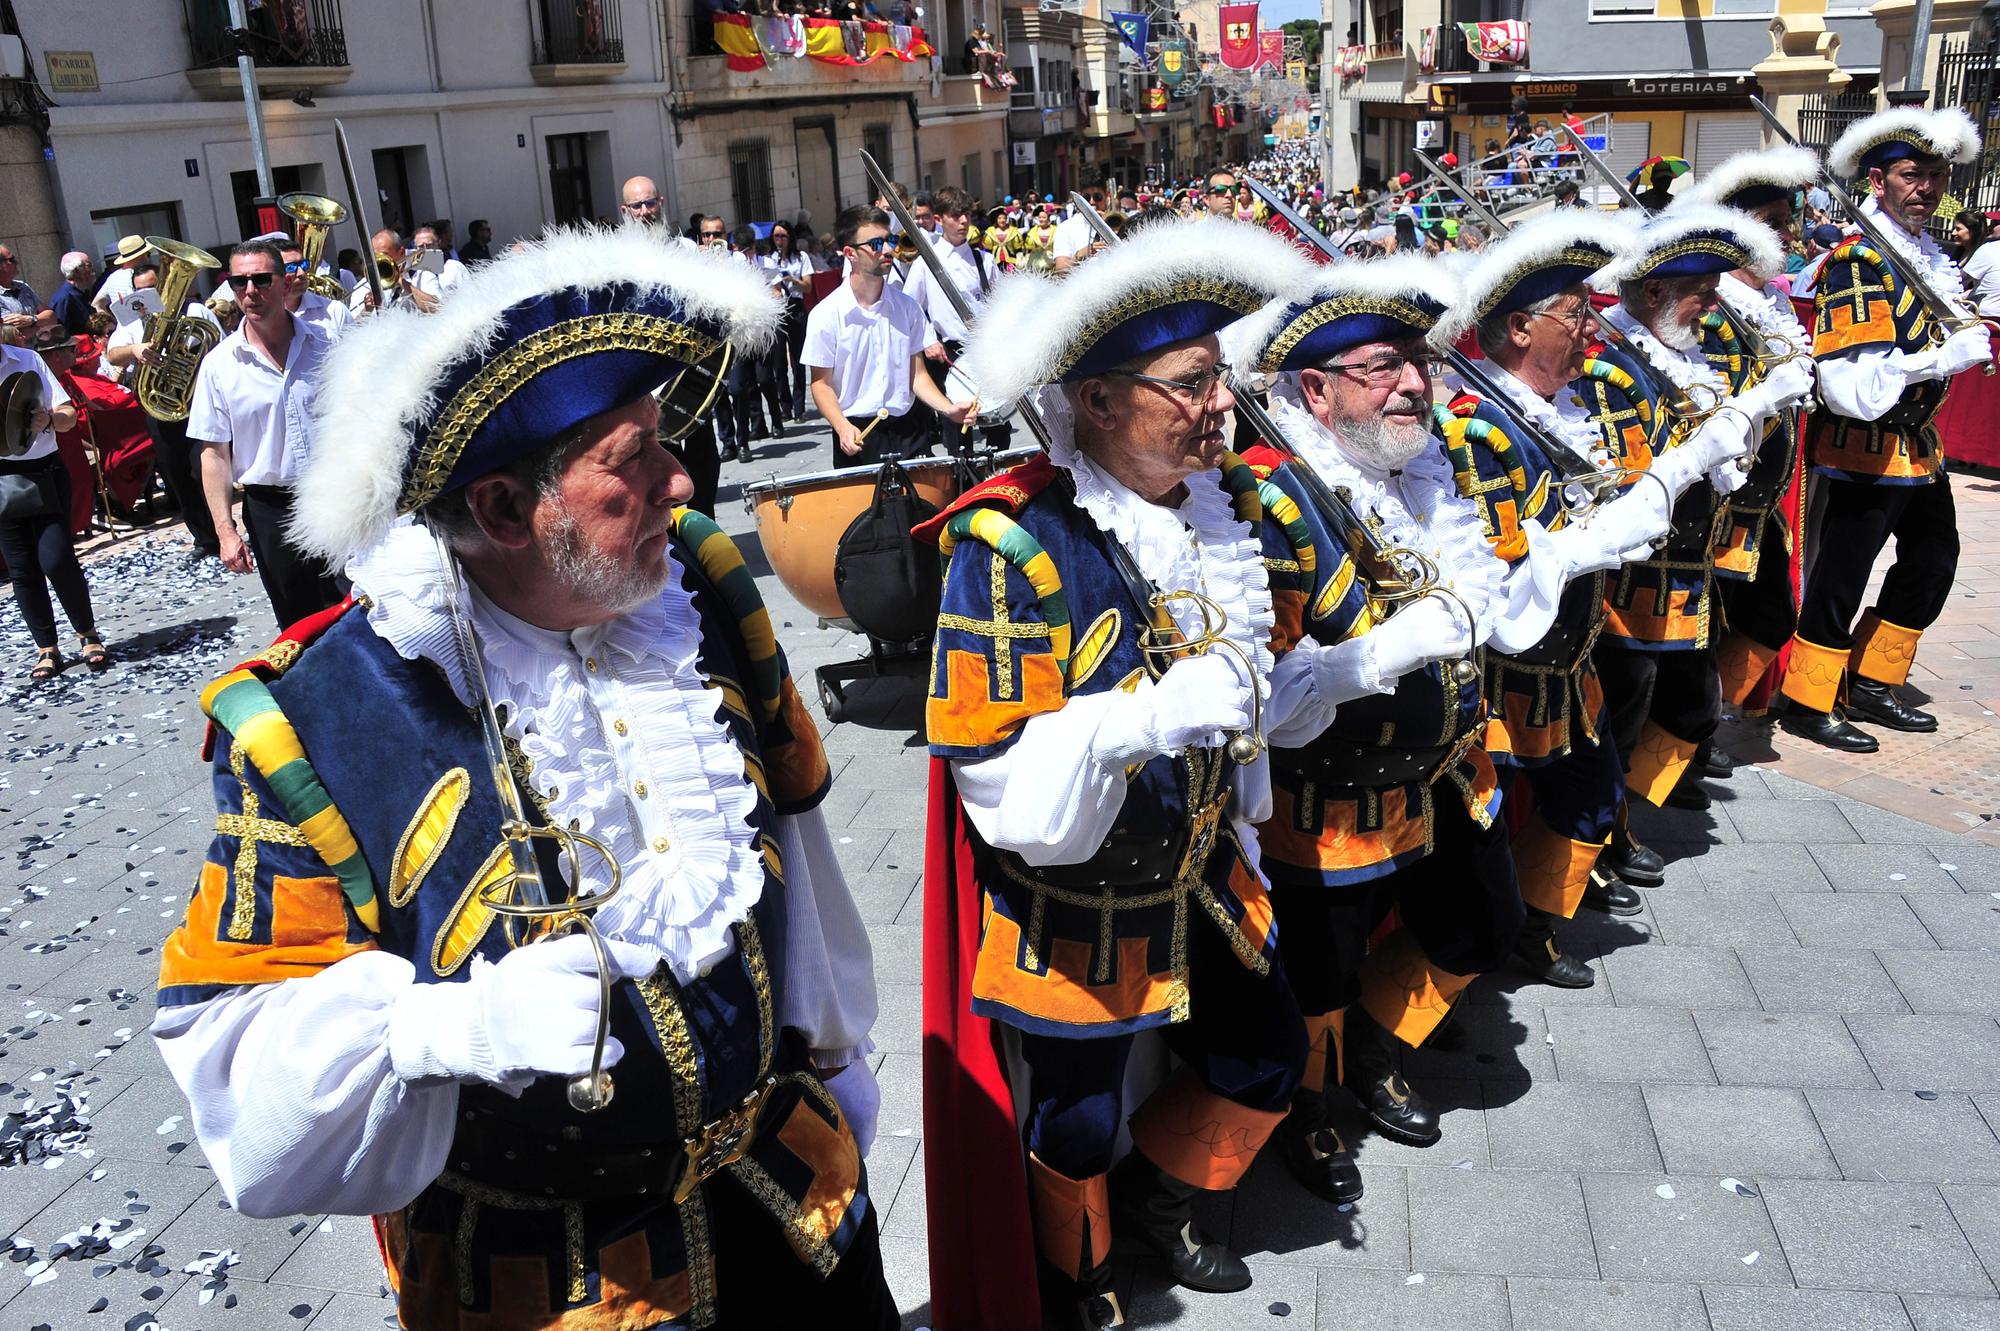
(1169, 283)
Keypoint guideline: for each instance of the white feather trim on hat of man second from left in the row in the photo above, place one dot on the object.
(1029, 325)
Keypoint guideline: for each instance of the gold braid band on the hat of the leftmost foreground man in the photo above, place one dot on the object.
(515, 367)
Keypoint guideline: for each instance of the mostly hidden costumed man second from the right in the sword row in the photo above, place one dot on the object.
(1753, 555)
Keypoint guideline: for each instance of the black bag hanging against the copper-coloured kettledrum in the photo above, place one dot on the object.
(887, 581)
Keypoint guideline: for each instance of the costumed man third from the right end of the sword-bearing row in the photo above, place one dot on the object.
(1657, 651)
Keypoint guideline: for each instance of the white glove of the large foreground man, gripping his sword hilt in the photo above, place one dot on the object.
(533, 1014)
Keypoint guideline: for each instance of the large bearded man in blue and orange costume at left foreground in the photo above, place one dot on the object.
(355, 1024)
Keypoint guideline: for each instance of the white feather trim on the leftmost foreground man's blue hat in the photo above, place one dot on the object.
(383, 377)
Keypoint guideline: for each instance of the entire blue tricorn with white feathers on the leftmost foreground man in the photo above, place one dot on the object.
(533, 345)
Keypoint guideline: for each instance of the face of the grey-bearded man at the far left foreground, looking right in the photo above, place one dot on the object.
(605, 537)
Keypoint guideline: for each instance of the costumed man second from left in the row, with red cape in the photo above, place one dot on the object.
(1091, 866)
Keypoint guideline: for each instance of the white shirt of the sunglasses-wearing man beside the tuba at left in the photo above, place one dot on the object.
(259, 409)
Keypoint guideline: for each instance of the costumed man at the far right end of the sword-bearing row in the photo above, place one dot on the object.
(1875, 455)
